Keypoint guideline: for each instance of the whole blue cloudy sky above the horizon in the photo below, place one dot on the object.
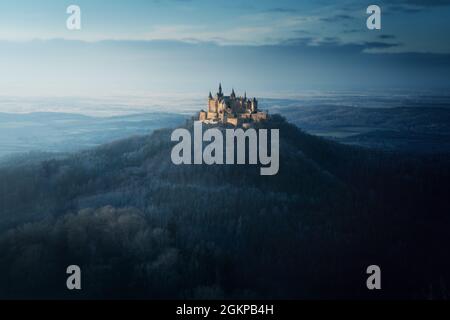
(138, 47)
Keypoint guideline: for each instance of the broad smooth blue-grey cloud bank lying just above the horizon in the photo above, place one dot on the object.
(137, 67)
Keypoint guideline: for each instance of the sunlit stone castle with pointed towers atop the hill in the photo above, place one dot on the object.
(233, 110)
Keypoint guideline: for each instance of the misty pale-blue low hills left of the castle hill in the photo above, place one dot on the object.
(66, 132)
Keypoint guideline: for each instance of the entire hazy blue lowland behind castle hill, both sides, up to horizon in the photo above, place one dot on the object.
(408, 122)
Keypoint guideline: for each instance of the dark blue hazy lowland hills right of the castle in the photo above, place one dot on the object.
(412, 126)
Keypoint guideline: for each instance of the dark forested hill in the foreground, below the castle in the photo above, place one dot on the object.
(141, 227)
